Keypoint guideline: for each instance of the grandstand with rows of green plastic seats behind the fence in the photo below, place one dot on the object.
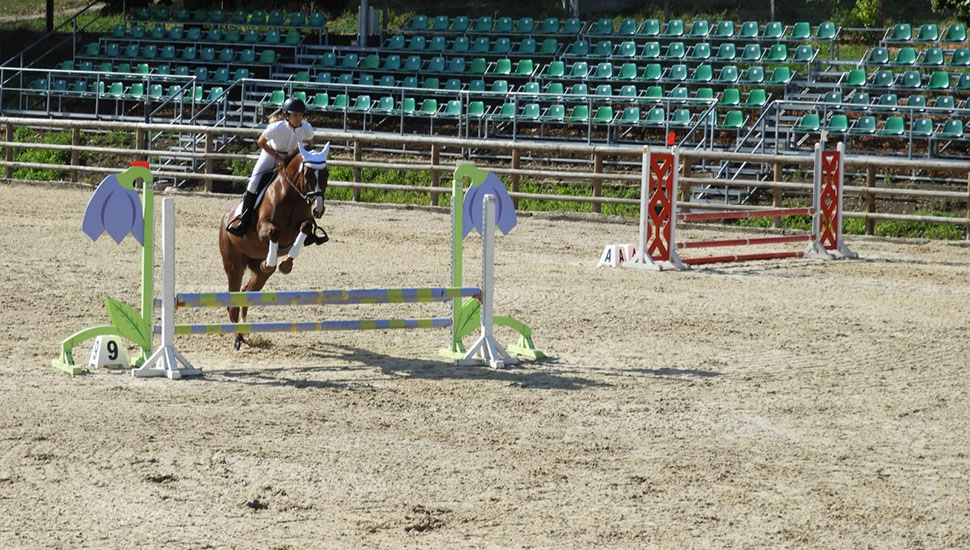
(740, 86)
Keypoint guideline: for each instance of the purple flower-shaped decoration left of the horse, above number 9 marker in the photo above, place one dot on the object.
(114, 208)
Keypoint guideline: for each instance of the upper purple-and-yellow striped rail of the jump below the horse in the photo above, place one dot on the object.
(322, 297)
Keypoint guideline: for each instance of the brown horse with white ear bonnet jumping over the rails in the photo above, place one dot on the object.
(285, 221)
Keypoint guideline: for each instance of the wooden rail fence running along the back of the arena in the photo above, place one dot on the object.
(881, 188)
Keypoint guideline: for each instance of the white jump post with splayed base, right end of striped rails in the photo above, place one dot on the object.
(486, 349)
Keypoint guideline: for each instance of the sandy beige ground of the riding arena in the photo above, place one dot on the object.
(780, 404)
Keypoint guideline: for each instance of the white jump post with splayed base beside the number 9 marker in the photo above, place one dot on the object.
(166, 359)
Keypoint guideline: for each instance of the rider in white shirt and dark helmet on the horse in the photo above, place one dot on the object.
(279, 143)
